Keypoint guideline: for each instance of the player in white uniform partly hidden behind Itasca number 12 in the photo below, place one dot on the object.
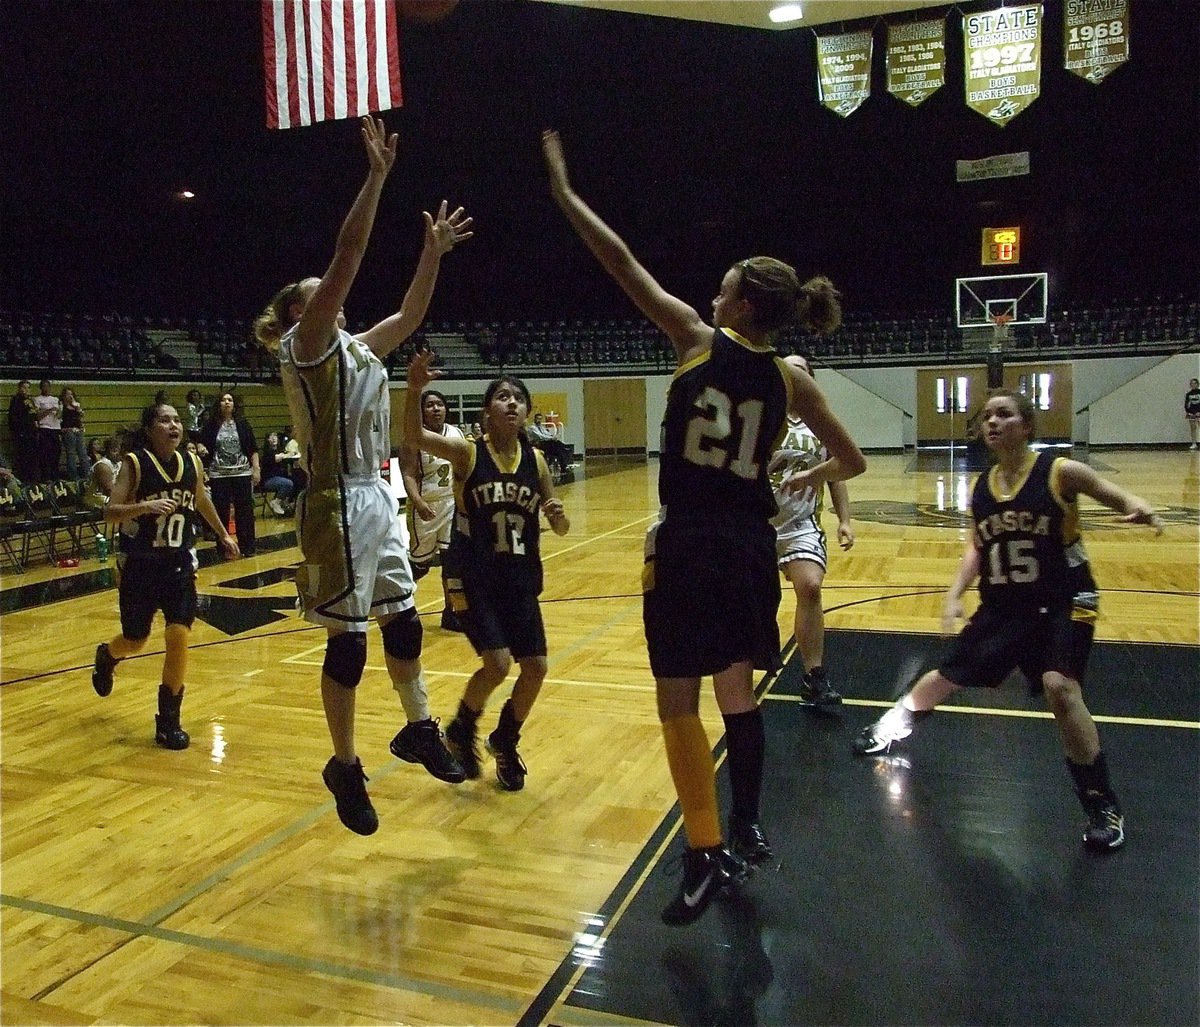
(429, 483)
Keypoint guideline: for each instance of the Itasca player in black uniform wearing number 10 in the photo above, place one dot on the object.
(158, 495)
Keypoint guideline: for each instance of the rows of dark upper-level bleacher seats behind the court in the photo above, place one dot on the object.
(87, 346)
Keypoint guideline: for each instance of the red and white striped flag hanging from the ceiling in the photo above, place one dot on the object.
(326, 59)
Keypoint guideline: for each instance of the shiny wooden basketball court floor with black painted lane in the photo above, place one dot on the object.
(941, 885)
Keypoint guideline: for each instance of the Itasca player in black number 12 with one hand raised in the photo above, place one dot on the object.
(494, 567)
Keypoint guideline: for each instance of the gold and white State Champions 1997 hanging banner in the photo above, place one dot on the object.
(1003, 56)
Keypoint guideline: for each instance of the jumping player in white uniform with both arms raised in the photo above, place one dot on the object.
(355, 562)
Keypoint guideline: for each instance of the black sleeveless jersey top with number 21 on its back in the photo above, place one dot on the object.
(725, 416)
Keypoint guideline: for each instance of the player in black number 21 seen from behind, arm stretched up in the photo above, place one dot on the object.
(711, 585)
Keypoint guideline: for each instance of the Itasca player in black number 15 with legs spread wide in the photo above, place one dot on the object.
(1039, 602)
